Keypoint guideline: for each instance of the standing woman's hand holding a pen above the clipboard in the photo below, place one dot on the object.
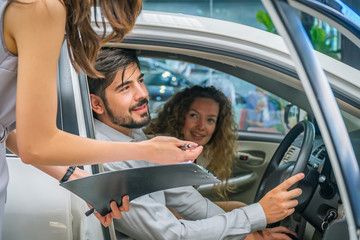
(168, 150)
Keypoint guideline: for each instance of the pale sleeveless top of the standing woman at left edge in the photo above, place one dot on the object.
(8, 77)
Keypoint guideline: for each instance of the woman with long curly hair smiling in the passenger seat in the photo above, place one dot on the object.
(202, 115)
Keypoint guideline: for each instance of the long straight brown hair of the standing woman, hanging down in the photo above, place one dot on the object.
(83, 42)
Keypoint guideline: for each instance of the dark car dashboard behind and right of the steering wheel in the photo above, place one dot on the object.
(320, 202)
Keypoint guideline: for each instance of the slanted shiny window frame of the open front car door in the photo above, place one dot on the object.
(332, 126)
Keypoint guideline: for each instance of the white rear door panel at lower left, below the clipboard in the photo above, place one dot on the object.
(36, 208)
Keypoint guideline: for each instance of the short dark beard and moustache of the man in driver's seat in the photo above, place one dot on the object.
(129, 121)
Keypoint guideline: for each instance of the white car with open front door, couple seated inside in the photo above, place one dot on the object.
(303, 84)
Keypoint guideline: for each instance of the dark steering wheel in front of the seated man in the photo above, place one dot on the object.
(275, 174)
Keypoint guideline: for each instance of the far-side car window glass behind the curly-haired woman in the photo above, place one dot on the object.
(254, 109)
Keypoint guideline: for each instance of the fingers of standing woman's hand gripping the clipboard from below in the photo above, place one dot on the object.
(115, 211)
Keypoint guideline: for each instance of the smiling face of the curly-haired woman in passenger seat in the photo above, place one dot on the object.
(200, 121)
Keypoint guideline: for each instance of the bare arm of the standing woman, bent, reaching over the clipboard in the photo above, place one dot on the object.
(37, 32)
